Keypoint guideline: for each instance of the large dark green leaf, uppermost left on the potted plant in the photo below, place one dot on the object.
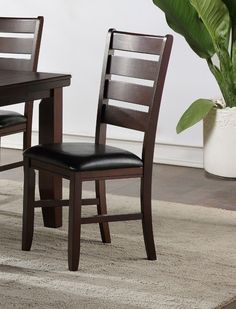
(182, 17)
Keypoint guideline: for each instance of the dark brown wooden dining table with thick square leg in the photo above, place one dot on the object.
(24, 86)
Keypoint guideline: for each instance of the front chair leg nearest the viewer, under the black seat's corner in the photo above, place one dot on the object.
(74, 222)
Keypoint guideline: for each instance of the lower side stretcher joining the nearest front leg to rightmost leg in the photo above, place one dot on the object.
(111, 218)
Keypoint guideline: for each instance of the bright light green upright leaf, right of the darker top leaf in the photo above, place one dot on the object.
(215, 16)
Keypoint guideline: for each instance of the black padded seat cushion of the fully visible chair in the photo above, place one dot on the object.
(83, 156)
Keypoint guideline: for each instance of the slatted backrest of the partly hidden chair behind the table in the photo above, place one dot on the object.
(20, 40)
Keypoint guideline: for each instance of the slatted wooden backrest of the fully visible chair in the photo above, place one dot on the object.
(134, 71)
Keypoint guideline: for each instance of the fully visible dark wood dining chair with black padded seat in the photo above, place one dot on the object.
(80, 162)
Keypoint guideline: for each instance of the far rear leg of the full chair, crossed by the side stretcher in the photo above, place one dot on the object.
(102, 210)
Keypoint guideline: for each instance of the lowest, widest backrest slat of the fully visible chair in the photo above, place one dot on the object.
(124, 117)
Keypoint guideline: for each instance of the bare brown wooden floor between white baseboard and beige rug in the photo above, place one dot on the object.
(170, 183)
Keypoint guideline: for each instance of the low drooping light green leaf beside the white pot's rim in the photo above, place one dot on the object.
(196, 112)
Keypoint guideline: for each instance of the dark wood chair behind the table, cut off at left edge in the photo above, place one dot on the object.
(19, 47)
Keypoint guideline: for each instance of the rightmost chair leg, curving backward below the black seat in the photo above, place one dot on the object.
(146, 209)
